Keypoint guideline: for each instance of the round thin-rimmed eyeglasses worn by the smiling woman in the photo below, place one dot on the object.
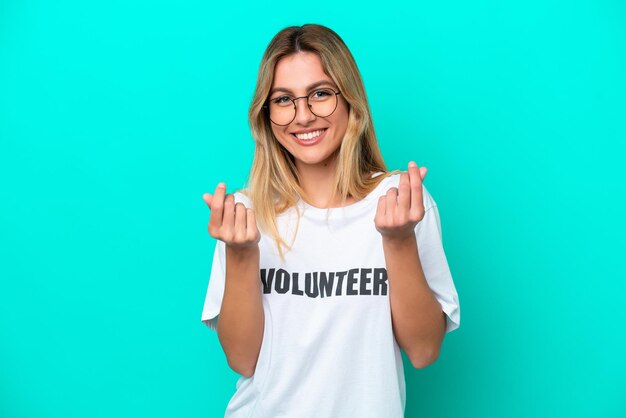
(282, 110)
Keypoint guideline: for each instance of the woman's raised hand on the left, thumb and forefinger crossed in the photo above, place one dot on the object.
(234, 224)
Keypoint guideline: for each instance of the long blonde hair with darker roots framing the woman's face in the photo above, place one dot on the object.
(273, 184)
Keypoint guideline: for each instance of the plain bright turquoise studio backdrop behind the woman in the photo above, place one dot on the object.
(116, 116)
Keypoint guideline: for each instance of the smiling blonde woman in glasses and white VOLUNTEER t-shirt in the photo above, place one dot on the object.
(327, 264)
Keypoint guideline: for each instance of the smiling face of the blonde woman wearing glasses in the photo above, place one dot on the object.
(298, 75)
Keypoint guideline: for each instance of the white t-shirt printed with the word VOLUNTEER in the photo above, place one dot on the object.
(328, 346)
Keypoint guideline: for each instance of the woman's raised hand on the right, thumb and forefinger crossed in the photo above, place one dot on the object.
(401, 209)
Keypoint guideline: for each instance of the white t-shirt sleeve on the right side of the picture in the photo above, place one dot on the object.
(435, 264)
